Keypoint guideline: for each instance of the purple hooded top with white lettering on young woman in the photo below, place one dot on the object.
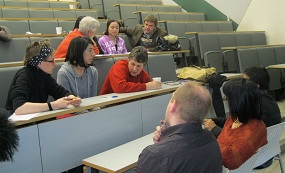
(109, 47)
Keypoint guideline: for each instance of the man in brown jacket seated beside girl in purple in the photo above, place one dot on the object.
(146, 34)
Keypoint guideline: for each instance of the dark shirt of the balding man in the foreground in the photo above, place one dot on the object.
(183, 148)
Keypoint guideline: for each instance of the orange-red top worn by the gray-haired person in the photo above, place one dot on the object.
(63, 47)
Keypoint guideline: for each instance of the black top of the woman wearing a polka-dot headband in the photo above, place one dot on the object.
(31, 84)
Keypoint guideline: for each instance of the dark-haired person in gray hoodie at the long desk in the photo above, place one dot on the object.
(77, 74)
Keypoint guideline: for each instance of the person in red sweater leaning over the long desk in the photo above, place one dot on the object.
(128, 75)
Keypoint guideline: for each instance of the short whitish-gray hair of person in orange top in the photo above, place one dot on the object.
(88, 23)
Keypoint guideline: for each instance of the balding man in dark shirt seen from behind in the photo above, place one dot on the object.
(183, 146)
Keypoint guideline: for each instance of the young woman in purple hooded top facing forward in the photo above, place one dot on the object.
(111, 43)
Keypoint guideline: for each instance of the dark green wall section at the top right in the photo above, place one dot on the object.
(211, 13)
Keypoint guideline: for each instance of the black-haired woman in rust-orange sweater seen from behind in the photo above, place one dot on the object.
(244, 132)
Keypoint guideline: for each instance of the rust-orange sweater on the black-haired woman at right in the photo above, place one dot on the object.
(239, 144)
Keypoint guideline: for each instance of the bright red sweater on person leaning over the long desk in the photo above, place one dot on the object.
(119, 80)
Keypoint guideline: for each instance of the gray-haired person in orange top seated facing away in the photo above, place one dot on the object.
(87, 28)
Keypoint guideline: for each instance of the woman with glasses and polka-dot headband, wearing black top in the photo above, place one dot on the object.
(33, 83)
